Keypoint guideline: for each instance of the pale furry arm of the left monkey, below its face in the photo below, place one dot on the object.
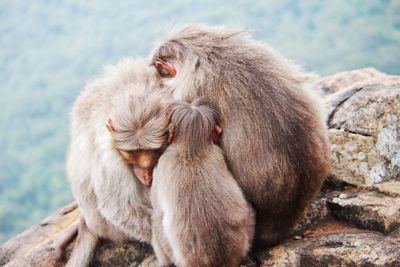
(121, 199)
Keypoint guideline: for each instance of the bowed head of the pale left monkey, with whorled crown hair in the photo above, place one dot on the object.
(138, 129)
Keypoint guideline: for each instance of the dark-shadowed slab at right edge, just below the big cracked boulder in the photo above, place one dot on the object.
(368, 210)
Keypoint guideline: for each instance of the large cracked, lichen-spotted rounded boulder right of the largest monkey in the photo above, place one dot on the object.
(363, 129)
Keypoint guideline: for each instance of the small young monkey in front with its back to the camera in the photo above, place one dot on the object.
(200, 215)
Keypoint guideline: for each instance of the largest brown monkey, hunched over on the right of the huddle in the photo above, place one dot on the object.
(274, 137)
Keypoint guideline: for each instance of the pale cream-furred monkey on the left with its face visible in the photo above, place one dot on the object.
(118, 128)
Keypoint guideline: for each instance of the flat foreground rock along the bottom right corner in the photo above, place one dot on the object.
(342, 249)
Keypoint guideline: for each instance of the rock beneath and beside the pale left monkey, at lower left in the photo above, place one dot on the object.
(36, 246)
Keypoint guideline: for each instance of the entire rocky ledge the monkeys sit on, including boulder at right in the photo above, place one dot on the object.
(355, 219)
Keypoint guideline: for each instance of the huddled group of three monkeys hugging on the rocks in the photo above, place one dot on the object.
(272, 156)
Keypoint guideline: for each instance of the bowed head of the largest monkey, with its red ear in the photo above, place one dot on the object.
(196, 56)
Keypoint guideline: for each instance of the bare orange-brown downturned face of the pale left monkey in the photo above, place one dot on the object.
(142, 162)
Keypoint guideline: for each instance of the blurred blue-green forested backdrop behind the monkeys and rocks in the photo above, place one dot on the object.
(49, 49)
